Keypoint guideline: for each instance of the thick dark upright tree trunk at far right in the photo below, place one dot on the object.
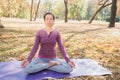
(113, 14)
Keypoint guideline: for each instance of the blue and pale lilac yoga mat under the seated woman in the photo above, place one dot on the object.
(12, 71)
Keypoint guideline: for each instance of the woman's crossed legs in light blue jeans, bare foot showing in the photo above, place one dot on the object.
(53, 64)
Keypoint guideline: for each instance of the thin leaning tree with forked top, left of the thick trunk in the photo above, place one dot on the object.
(103, 5)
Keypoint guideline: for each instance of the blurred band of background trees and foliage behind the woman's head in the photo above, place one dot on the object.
(63, 9)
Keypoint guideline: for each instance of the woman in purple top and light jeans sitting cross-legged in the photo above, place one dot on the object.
(47, 59)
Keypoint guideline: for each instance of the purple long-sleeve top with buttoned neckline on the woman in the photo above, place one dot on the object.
(47, 43)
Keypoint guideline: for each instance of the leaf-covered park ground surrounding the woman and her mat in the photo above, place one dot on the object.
(81, 40)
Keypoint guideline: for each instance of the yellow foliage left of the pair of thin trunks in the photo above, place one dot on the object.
(14, 8)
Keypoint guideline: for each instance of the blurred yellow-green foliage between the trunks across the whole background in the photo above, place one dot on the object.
(78, 9)
